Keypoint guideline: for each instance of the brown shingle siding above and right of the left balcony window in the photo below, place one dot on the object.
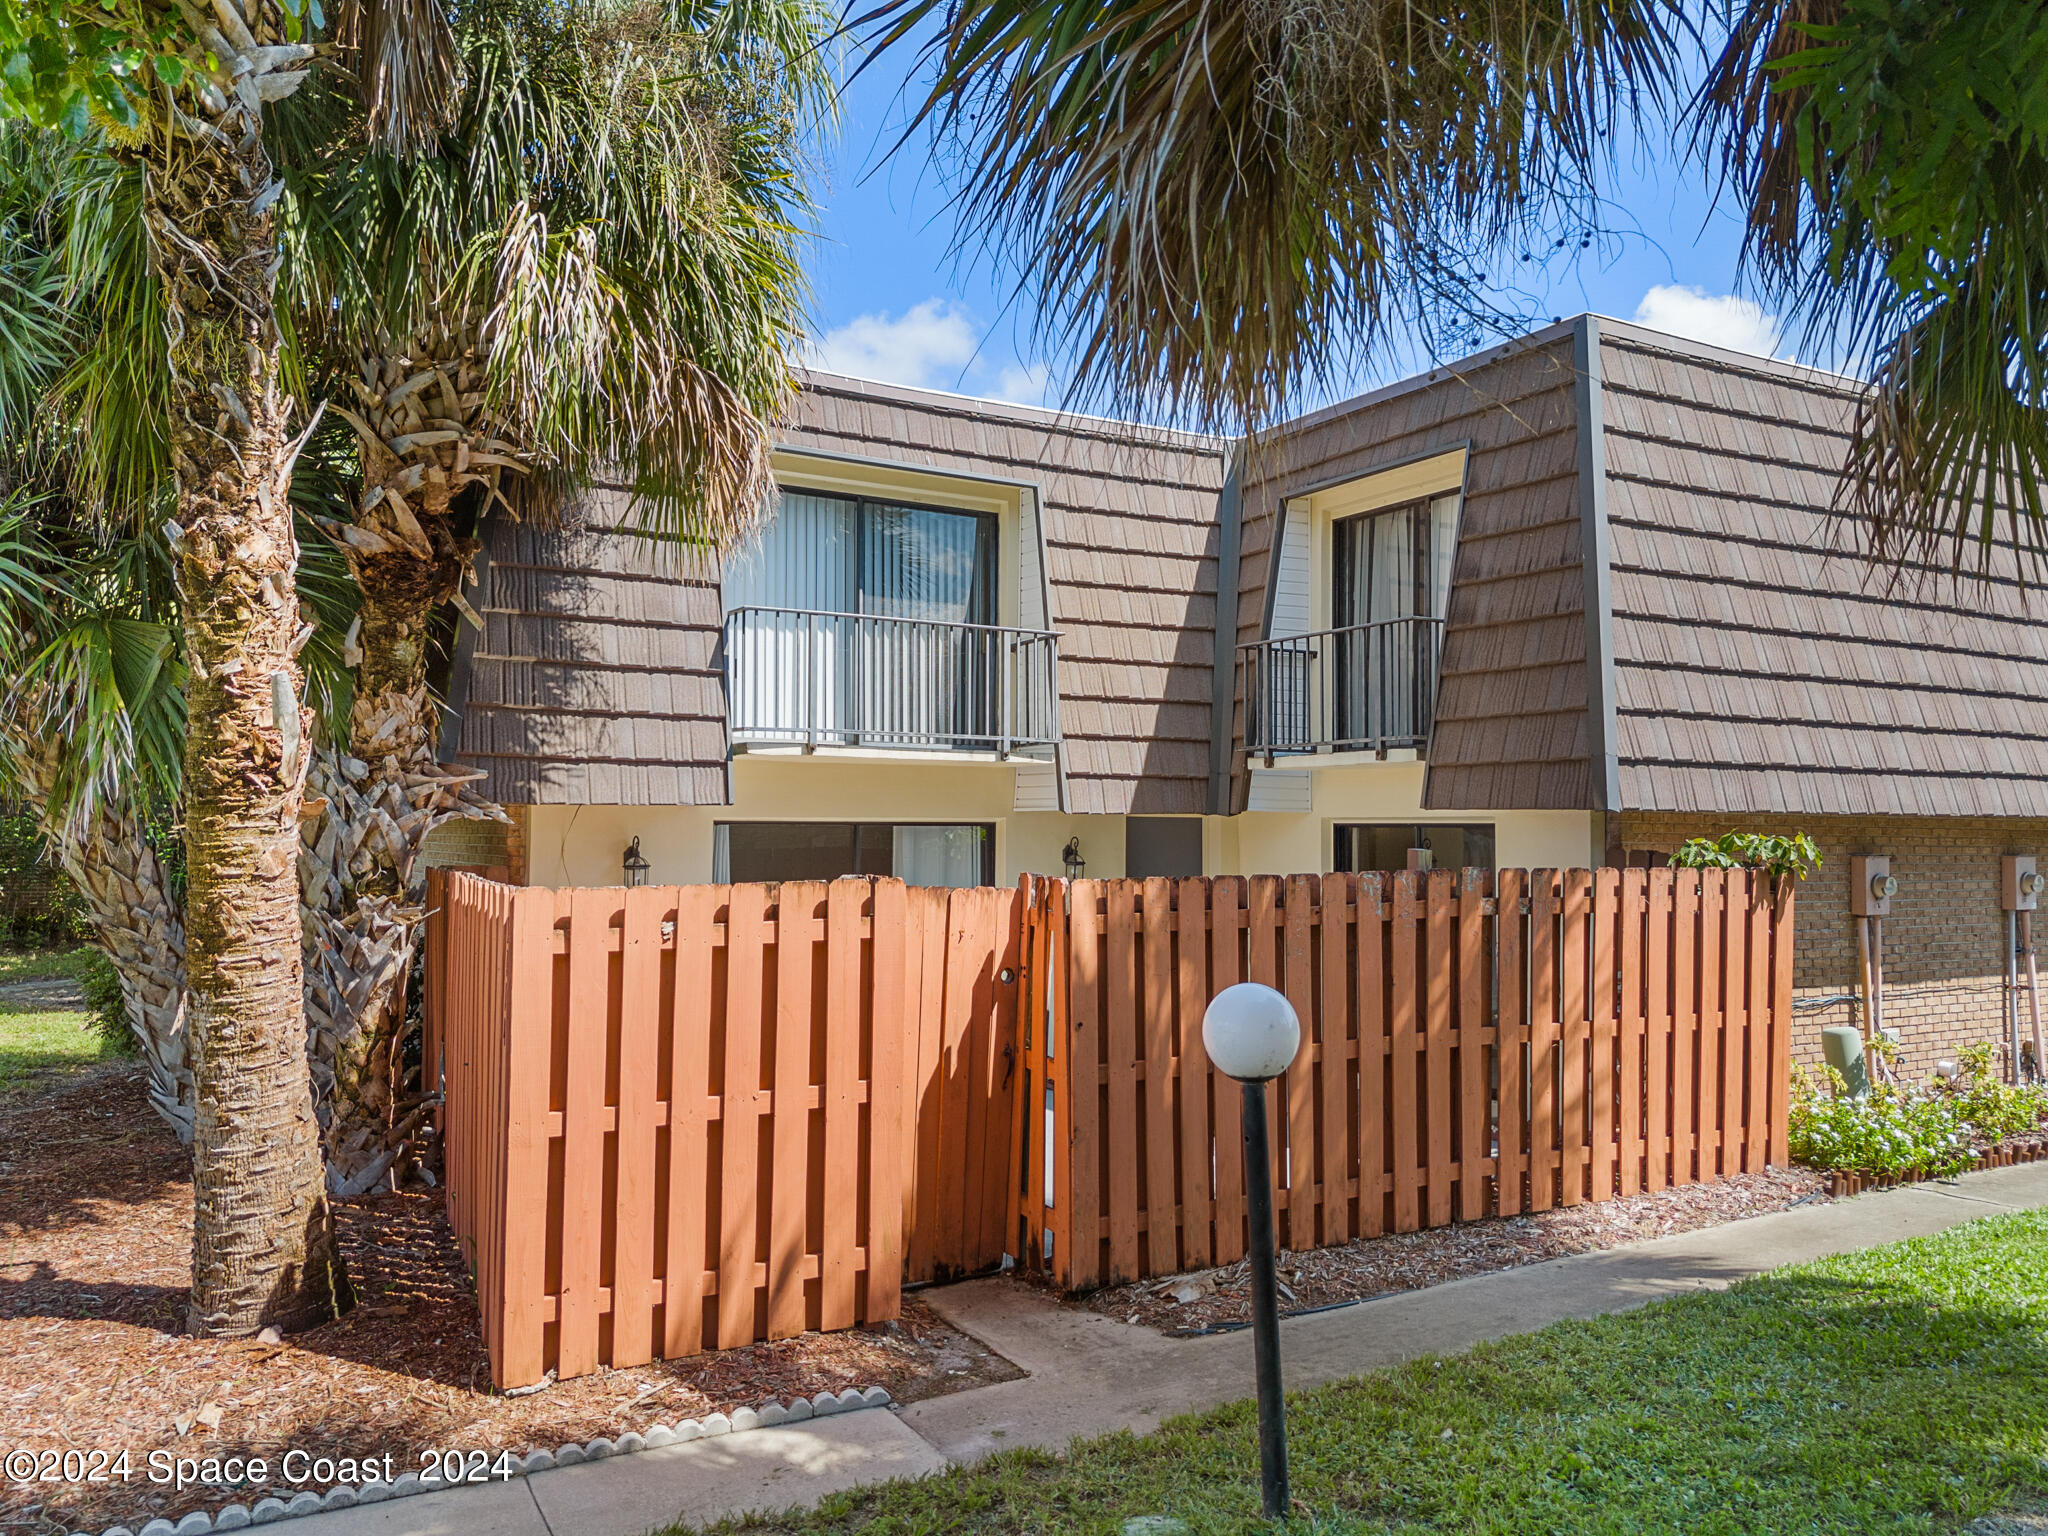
(1132, 540)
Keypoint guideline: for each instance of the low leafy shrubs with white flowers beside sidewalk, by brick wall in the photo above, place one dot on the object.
(1934, 1129)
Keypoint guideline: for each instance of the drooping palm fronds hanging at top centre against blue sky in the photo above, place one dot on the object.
(1215, 202)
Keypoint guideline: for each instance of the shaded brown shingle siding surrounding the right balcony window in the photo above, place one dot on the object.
(1510, 728)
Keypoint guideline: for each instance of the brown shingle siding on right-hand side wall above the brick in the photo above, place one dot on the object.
(1760, 663)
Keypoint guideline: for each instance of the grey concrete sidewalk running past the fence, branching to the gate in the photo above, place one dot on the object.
(1091, 1375)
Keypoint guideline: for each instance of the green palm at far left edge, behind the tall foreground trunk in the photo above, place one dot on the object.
(93, 708)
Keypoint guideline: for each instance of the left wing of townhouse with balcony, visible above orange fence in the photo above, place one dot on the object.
(972, 642)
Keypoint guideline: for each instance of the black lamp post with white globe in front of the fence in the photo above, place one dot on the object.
(1252, 1035)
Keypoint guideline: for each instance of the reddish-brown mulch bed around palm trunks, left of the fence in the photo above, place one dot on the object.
(95, 1250)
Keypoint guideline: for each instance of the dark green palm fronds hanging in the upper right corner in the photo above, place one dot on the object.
(1895, 187)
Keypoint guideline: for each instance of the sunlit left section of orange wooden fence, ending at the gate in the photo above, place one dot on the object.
(685, 1119)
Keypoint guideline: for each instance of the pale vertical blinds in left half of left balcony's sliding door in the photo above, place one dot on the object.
(792, 667)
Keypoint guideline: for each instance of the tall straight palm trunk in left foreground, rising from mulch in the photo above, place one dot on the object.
(263, 1234)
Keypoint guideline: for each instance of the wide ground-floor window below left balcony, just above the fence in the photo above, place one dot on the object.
(824, 851)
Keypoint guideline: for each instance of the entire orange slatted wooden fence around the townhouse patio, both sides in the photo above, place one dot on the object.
(695, 1117)
